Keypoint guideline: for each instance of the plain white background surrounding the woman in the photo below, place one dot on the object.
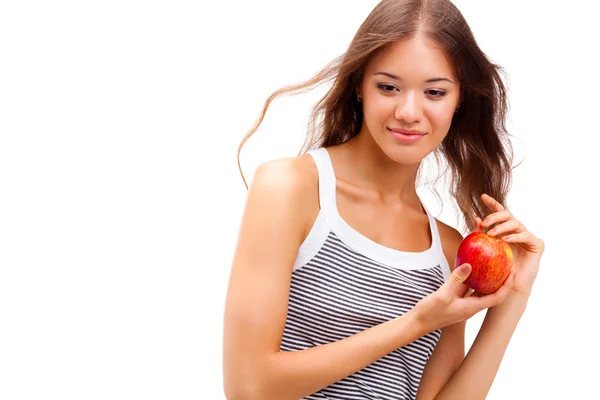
(120, 198)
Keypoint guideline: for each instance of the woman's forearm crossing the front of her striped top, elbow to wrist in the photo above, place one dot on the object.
(296, 374)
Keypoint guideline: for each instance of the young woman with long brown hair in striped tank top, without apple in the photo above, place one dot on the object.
(343, 284)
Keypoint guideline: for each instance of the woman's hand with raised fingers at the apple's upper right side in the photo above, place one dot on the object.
(527, 248)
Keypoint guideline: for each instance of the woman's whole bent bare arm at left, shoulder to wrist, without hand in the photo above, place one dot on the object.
(272, 230)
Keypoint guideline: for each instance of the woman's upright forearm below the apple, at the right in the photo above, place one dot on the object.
(474, 378)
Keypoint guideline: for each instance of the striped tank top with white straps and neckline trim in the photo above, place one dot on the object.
(343, 283)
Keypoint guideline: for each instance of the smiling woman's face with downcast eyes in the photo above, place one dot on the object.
(409, 86)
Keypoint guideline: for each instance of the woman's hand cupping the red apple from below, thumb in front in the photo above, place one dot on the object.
(453, 303)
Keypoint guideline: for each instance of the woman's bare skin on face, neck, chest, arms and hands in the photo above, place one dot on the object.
(376, 195)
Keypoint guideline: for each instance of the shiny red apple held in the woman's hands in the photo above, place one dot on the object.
(491, 261)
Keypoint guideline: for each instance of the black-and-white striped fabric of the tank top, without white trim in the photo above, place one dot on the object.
(340, 292)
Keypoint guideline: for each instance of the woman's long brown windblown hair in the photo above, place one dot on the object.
(477, 149)
